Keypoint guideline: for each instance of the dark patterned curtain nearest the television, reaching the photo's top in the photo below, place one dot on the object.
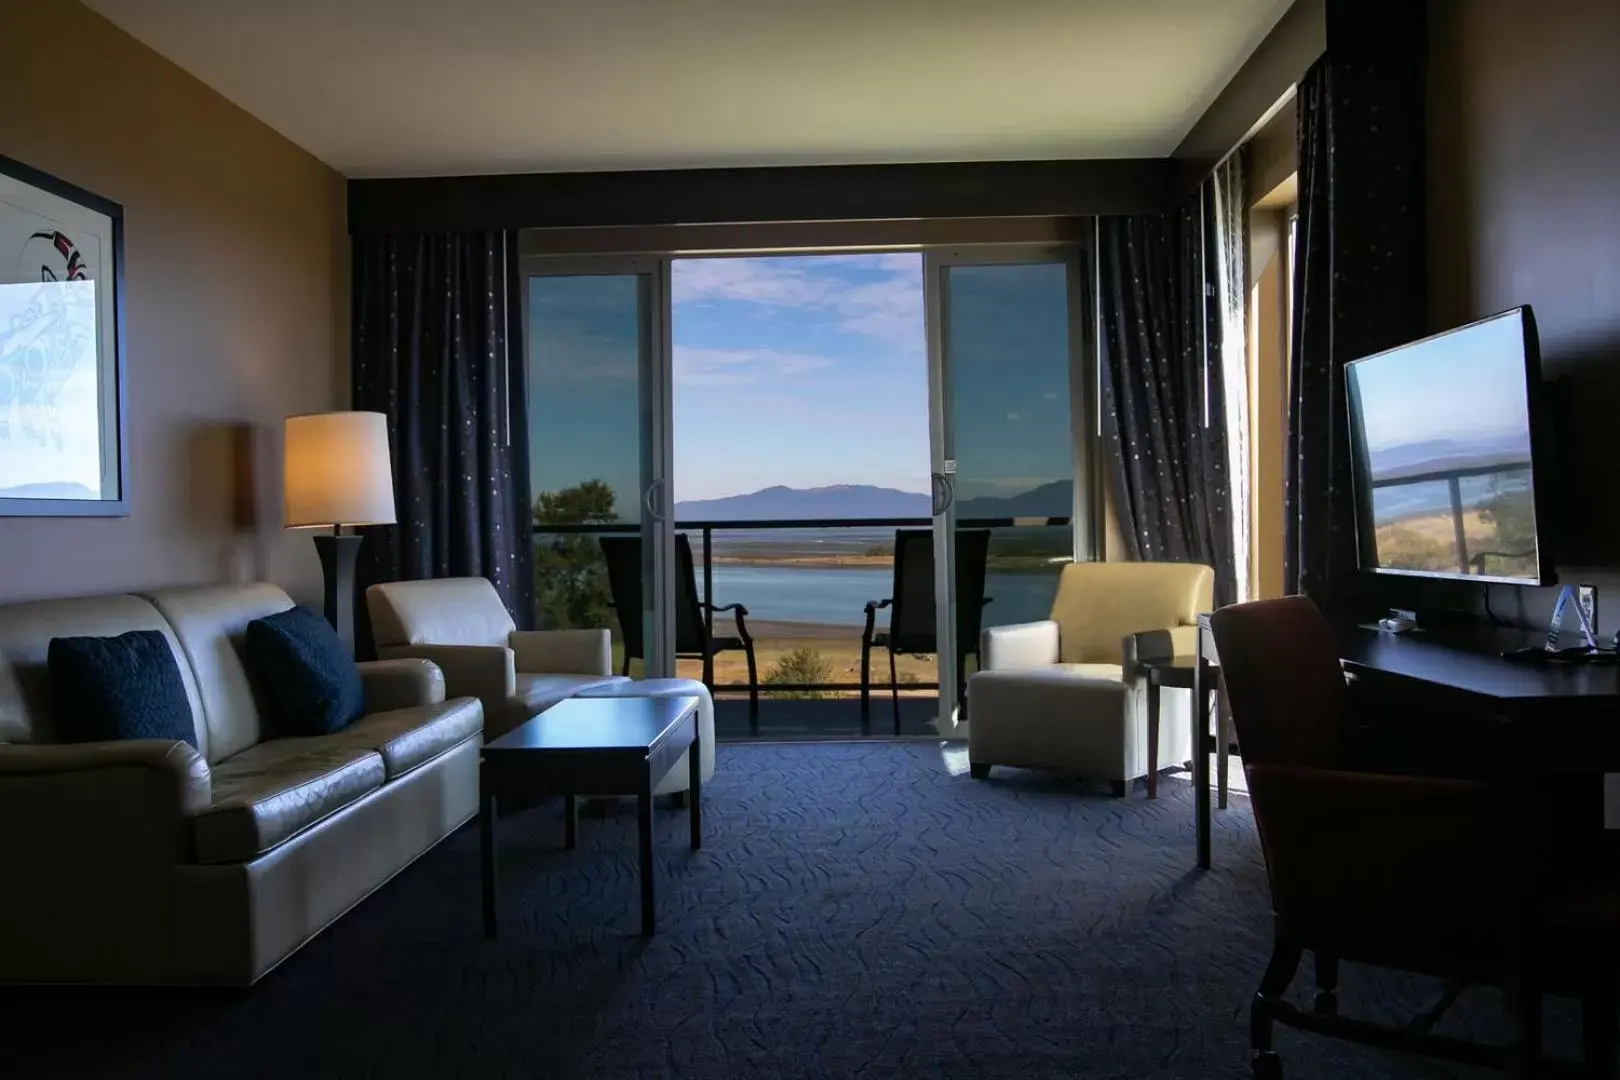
(1358, 266)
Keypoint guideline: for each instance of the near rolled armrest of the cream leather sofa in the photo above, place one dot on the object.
(108, 802)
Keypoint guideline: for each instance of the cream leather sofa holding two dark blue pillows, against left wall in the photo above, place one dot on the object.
(150, 862)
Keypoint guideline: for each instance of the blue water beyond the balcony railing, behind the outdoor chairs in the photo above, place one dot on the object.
(838, 597)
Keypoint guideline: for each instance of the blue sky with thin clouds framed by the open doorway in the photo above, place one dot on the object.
(799, 372)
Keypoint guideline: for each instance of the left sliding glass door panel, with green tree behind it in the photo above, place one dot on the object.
(600, 448)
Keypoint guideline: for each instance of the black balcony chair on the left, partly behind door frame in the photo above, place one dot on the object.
(693, 637)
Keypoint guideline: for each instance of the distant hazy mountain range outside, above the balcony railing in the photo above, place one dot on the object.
(868, 501)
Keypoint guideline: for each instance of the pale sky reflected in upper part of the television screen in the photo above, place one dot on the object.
(1464, 385)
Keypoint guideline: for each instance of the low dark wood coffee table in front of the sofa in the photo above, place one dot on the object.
(594, 747)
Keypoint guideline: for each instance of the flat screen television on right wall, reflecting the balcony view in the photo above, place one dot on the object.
(1446, 443)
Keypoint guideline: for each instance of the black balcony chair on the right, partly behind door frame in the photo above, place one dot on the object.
(913, 627)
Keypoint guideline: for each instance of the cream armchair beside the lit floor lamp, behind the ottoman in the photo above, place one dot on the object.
(464, 627)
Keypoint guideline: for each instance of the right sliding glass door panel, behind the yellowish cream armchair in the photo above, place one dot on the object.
(1010, 410)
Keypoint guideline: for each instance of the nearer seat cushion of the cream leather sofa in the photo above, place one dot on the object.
(271, 793)
